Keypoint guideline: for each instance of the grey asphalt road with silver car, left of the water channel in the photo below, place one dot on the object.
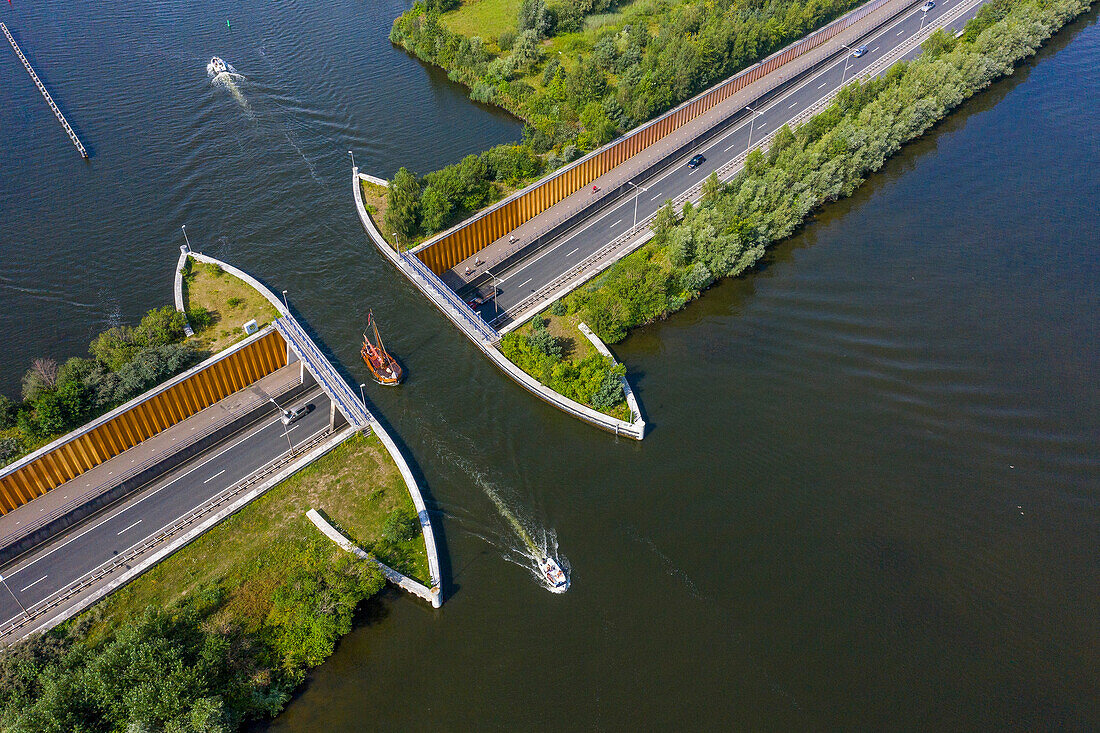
(120, 528)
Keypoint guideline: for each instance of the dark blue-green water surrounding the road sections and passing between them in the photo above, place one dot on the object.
(871, 493)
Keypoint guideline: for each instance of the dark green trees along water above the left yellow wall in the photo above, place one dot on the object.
(123, 364)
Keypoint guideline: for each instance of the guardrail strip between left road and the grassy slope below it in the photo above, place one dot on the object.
(61, 597)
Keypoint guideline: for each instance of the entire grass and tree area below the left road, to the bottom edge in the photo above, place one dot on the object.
(224, 631)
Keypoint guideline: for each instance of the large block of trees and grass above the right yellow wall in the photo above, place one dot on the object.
(580, 73)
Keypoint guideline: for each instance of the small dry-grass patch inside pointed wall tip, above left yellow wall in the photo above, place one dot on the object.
(224, 304)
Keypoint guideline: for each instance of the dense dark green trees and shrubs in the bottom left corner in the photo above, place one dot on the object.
(191, 669)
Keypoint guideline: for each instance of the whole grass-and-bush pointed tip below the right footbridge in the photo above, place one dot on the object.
(553, 351)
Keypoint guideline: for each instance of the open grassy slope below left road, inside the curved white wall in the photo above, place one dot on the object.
(250, 555)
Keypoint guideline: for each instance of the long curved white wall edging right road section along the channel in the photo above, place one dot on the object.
(453, 309)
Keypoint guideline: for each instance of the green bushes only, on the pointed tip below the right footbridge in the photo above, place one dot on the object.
(595, 380)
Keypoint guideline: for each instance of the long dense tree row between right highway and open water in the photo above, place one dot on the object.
(822, 161)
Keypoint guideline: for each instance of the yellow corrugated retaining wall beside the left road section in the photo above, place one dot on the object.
(142, 421)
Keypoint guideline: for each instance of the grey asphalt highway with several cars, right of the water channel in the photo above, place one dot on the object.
(548, 264)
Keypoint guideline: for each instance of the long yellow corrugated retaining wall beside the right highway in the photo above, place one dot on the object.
(478, 233)
